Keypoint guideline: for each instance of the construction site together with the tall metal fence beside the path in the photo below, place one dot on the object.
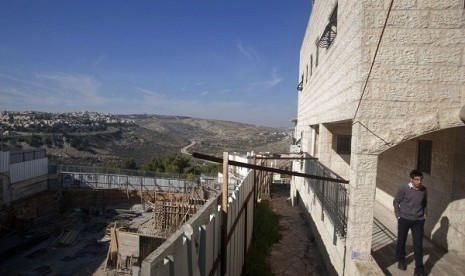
(68, 220)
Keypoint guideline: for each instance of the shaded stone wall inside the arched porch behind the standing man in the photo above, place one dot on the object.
(446, 188)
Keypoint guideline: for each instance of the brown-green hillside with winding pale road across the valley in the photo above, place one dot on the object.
(156, 136)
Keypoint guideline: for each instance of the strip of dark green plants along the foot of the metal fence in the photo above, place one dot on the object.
(266, 233)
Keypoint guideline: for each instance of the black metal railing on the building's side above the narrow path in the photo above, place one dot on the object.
(333, 196)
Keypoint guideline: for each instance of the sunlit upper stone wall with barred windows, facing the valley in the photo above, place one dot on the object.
(331, 90)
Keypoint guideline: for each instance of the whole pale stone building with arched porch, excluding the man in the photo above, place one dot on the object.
(382, 92)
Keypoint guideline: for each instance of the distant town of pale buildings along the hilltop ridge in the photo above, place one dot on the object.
(12, 123)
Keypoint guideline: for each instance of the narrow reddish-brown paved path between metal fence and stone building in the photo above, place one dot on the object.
(295, 253)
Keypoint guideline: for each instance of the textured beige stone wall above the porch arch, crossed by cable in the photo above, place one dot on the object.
(418, 78)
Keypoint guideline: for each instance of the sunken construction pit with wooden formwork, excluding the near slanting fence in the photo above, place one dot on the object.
(87, 222)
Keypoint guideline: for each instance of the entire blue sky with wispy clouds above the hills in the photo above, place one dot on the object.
(215, 59)
